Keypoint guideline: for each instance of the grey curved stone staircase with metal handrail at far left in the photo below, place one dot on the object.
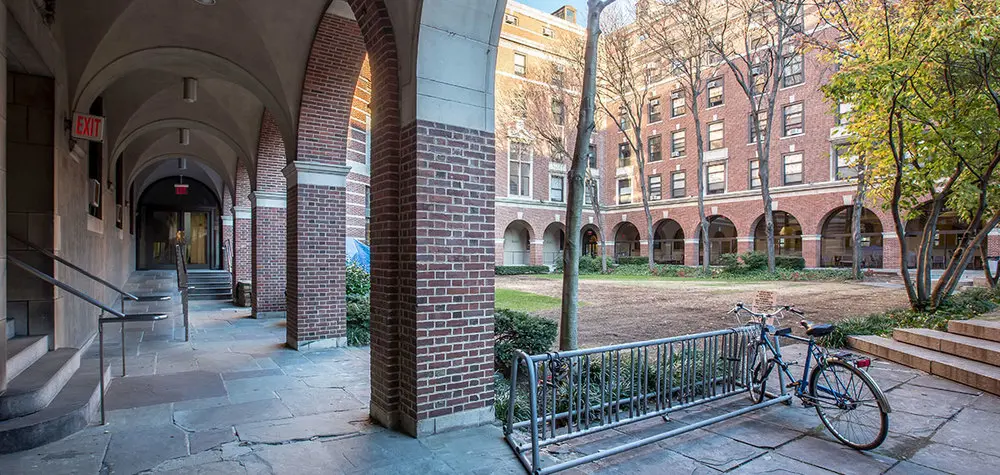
(49, 395)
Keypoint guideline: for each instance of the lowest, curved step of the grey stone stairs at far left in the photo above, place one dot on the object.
(72, 410)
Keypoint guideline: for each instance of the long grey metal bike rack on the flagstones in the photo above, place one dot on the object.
(576, 393)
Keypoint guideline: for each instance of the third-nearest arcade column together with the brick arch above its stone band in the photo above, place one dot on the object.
(268, 223)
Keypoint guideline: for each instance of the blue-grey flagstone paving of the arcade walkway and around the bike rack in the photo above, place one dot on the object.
(235, 400)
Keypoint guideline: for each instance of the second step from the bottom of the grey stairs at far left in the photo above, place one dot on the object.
(39, 384)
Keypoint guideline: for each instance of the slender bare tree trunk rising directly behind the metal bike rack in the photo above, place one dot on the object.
(574, 204)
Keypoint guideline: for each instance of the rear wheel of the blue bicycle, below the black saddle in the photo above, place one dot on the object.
(847, 401)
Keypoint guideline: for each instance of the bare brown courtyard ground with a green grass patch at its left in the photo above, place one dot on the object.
(626, 311)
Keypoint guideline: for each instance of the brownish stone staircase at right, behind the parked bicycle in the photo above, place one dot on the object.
(968, 353)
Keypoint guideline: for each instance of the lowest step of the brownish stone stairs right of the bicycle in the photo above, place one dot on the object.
(978, 375)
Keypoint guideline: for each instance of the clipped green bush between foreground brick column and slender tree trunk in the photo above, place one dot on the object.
(520, 331)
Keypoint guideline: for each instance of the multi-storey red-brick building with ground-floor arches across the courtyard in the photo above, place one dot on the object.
(810, 181)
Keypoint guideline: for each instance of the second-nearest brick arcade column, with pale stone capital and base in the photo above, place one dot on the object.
(317, 307)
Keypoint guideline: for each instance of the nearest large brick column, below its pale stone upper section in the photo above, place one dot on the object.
(444, 323)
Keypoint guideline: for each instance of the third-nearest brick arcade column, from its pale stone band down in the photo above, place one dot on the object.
(268, 254)
